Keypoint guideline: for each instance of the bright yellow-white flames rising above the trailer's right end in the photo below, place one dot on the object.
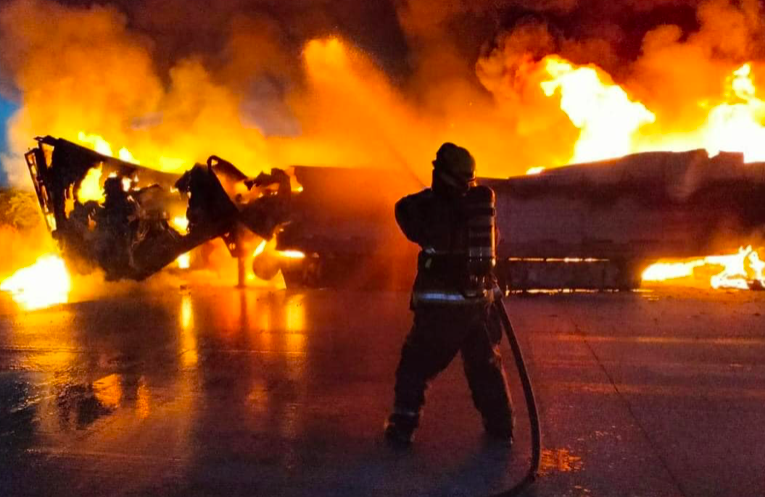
(612, 124)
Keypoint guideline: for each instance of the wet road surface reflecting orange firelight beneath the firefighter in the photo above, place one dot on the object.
(216, 391)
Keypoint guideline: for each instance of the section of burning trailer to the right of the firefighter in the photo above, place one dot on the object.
(600, 225)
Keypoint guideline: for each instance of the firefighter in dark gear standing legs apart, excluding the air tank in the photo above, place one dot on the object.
(448, 318)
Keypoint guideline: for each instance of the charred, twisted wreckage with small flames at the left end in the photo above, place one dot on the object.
(131, 221)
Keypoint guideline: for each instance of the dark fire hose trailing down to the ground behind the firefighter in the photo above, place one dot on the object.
(531, 404)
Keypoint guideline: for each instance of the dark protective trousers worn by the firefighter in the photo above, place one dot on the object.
(438, 333)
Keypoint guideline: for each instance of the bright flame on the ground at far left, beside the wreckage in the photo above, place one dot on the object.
(43, 284)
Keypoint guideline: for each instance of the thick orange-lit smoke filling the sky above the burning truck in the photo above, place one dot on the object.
(380, 83)
